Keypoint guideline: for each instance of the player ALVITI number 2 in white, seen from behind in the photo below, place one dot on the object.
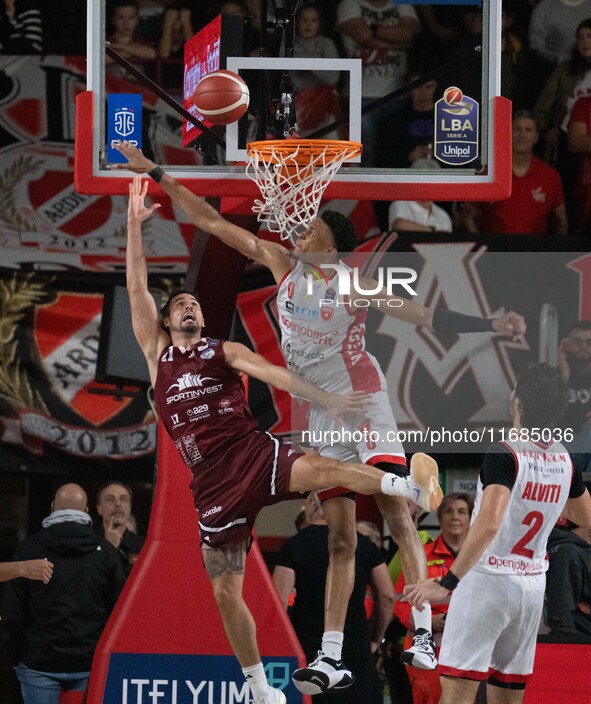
(498, 578)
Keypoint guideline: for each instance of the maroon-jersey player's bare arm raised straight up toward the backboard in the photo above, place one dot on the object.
(144, 315)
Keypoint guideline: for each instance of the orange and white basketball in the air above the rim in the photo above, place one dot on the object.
(221, 97)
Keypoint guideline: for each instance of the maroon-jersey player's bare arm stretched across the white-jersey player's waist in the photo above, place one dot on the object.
(241, 359)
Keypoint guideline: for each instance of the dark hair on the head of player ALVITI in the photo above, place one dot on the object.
(543, 395)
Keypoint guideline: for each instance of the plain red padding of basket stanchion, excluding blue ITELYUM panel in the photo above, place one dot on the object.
(167, 605)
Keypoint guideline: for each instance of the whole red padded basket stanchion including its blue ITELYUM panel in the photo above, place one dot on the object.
(165, 641)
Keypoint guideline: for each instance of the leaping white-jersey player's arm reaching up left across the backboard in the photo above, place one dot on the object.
(204, 216)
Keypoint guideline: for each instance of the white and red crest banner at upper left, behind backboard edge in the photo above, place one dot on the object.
(44, 222)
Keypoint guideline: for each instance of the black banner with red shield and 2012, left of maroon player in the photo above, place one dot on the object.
(49, 416)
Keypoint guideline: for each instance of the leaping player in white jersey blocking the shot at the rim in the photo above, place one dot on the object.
(332, 354)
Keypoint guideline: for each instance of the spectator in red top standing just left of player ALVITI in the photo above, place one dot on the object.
(454, 514)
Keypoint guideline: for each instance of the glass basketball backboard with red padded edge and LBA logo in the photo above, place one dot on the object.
(468, 127)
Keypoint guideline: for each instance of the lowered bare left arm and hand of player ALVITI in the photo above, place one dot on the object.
(494, 504)
